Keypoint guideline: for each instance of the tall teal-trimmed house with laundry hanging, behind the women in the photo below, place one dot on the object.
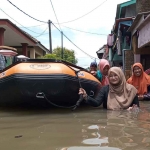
(119, 40)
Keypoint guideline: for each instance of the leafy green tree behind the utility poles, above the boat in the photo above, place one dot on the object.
(68, 55)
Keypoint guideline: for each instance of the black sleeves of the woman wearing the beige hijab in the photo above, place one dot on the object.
(102, 98)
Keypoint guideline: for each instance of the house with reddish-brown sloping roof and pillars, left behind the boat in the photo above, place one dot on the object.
(11, 35)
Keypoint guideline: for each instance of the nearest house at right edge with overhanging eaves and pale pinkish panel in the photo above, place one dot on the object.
(140, 32)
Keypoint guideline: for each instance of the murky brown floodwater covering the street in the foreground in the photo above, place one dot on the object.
(86, 128)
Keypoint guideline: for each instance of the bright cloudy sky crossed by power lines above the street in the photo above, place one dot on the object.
(94, 16)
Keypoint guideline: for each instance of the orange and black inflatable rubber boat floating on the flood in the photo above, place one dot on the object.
(38, 80)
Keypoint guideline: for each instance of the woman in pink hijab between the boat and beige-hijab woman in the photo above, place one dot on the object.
(102, 73)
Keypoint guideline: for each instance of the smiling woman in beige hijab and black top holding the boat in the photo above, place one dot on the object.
(117, 95)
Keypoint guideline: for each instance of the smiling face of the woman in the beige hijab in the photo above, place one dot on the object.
(113, 78)
